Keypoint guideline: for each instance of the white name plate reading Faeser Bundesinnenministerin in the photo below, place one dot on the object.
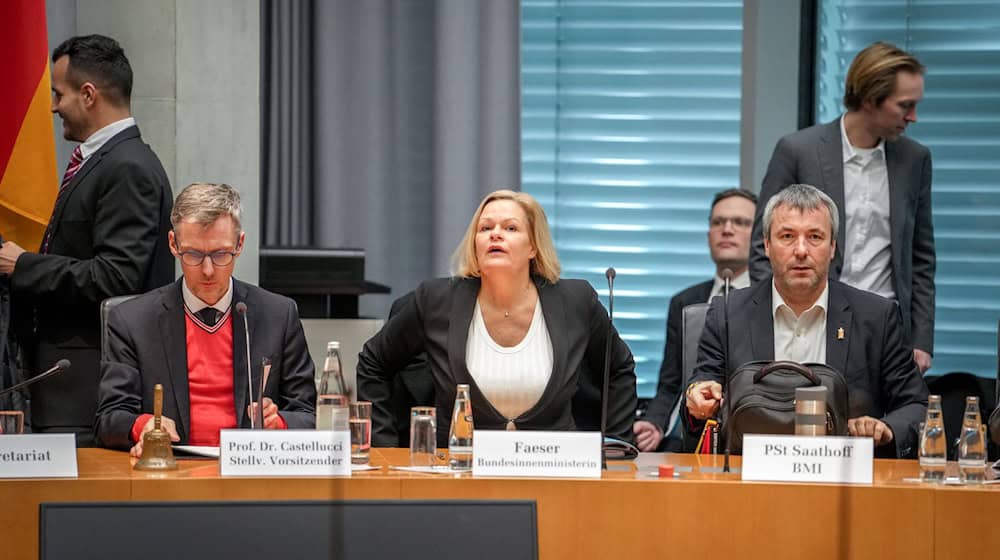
(523, 453)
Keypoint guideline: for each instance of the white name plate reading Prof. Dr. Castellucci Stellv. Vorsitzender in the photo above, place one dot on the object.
(284, 453)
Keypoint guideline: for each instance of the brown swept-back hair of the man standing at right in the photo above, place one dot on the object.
(872, 74)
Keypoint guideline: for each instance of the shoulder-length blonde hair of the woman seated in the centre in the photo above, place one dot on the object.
(545, 263)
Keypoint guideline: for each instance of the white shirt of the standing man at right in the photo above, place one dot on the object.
(867, 236)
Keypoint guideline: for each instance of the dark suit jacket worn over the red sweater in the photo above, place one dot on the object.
(147, 345)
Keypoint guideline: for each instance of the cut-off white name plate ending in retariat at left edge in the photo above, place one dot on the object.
(38, 456)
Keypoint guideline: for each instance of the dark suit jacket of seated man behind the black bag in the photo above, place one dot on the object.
(881, 376)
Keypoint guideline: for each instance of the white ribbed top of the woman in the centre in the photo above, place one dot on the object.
(513, 378)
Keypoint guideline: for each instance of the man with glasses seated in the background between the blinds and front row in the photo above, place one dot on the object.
(729, 223)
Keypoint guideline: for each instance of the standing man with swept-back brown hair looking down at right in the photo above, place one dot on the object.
(880, 181)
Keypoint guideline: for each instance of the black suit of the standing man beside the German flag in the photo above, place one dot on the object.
(110, 239)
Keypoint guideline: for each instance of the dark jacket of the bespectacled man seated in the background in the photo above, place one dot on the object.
(669, 387)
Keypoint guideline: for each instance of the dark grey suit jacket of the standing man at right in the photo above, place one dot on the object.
(814, 156)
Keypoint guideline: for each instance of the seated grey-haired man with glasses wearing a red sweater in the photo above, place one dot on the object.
(184, 336)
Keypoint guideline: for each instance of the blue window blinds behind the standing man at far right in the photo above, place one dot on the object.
(959, 121)
